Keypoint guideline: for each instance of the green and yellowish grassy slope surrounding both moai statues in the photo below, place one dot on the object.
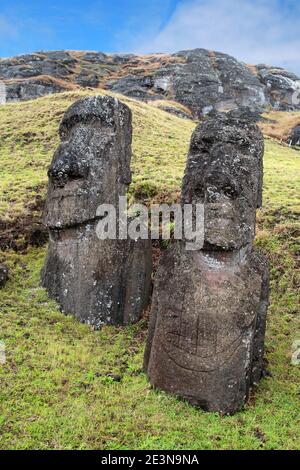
(65, 386)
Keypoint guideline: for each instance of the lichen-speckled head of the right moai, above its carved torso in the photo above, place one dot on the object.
(224, 172)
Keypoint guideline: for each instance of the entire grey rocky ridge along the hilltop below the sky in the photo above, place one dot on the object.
(199, 79)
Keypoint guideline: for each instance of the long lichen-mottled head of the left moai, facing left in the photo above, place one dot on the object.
(92, 164)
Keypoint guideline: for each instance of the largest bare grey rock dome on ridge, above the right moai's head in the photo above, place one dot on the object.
(199, 79)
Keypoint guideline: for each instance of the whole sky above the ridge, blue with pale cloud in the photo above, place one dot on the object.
(254, 31)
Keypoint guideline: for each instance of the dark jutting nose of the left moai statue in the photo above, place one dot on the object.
(67, 167)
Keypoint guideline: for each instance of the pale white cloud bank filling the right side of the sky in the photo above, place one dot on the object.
(255, 31)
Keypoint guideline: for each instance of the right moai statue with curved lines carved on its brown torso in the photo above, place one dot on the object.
(207, 322)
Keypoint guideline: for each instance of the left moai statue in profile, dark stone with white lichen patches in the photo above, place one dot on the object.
(98, 281)
